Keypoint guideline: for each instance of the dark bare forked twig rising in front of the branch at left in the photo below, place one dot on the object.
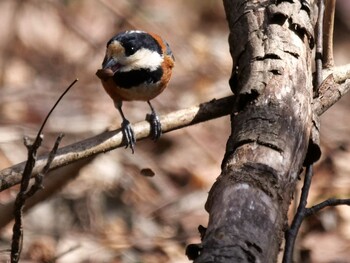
(24, 193)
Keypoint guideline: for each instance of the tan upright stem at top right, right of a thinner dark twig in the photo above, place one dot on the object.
(328, 59)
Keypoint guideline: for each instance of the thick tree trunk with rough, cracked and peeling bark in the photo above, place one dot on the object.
(270, 43)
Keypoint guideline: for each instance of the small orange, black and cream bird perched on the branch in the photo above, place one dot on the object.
(137, 66)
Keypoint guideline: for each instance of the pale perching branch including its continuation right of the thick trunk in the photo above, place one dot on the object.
(330, 93)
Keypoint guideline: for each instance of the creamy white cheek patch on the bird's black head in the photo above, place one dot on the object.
(143, 58)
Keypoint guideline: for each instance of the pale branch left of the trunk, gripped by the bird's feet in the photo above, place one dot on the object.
(110, 140)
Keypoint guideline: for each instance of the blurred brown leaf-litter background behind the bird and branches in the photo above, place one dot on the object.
(105, 209)
